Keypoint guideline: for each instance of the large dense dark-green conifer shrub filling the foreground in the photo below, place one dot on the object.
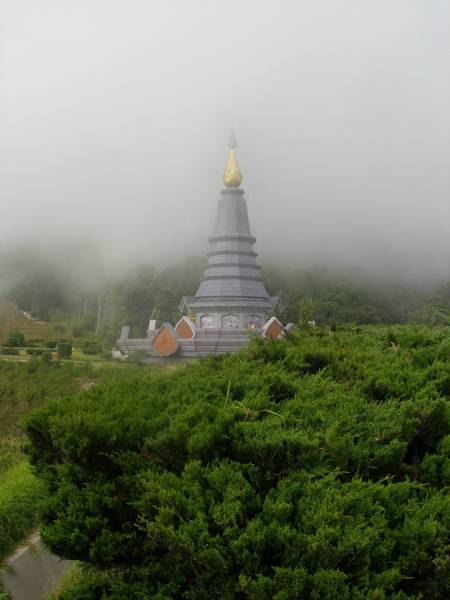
(316, 467)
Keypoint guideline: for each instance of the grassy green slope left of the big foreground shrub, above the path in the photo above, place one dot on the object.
(24, 387)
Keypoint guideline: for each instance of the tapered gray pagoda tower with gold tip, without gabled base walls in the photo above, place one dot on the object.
(232, 294)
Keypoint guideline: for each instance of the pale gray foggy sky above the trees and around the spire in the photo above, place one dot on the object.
(115, 117)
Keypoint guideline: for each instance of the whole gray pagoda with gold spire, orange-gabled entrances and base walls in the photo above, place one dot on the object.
(231, 303)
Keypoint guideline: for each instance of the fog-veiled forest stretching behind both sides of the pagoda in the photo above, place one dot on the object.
(95, 301)
